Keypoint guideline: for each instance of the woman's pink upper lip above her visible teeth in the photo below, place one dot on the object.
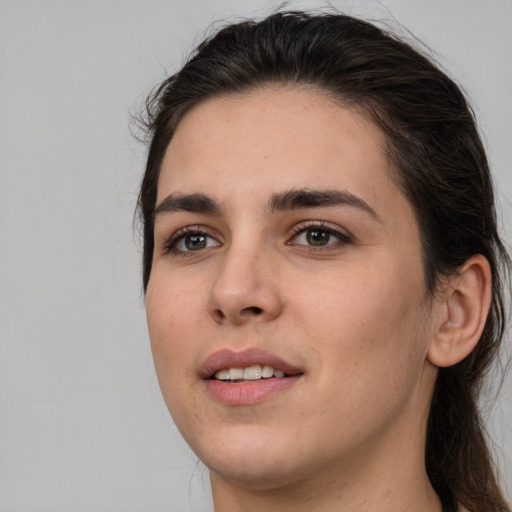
(227, 358)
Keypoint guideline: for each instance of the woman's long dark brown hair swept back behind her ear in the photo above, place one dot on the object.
(439, 163)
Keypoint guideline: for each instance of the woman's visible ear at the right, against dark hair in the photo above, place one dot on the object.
(460, 314)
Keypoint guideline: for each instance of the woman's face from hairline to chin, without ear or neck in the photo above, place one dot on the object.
(282, 244)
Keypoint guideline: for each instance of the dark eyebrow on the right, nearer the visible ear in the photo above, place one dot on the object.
(298, 199)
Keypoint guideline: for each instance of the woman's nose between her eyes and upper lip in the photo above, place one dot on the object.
(245, 288)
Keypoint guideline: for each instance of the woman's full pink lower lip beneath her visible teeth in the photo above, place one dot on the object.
(247, 393)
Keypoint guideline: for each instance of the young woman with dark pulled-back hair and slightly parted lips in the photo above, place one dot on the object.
(322, 270)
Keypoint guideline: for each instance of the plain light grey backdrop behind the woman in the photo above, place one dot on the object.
(83, 426)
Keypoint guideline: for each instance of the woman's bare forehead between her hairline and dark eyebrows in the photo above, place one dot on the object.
(262, 141)
